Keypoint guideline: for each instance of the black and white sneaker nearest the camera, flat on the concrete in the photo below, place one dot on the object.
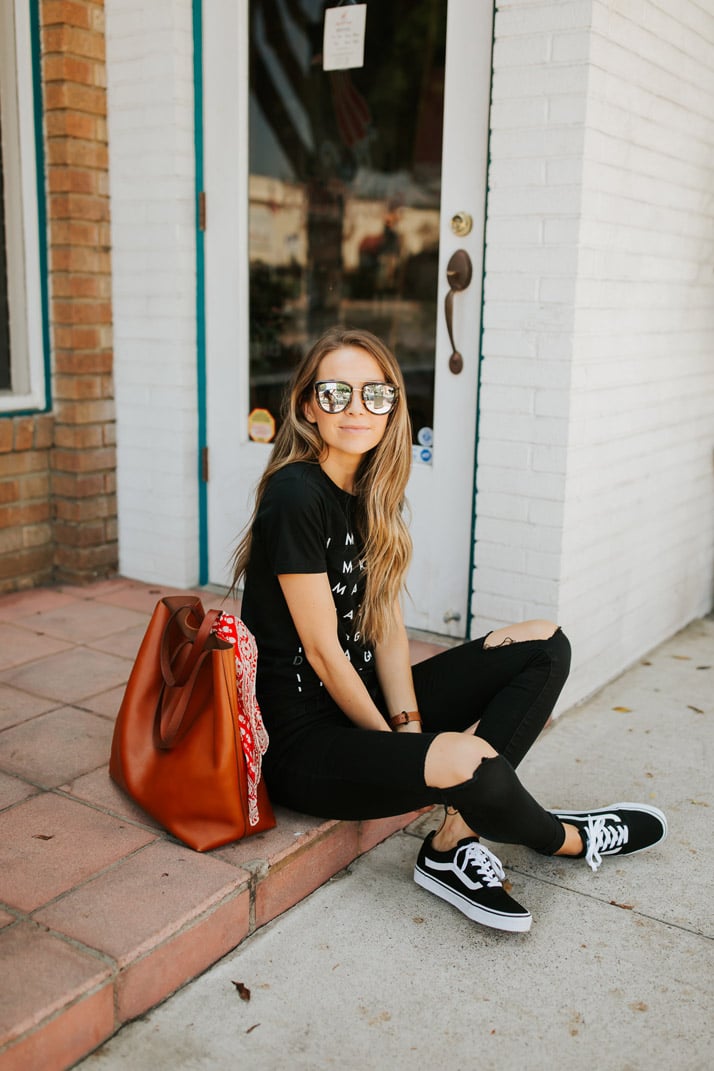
(469, 877)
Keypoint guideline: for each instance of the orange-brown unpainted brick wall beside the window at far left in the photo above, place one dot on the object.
(58, 505)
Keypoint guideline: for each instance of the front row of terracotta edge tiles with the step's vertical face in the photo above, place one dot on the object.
(120, 944)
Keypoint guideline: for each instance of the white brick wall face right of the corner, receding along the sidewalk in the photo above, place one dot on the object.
(639, 537)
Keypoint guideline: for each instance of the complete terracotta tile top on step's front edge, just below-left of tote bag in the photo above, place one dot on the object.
(145, 900)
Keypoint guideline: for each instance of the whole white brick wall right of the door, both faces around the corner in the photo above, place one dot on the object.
(596, 479)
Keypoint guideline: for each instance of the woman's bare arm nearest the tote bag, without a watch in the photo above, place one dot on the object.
(313, 612)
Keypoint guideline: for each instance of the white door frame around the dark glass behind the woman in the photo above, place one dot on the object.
(442, 592)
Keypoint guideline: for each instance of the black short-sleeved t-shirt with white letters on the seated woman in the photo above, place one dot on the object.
(305, 525)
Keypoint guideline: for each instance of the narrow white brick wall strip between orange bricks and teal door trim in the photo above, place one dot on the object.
(151, 143)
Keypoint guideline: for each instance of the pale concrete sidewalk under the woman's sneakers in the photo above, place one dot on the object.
(373, 973)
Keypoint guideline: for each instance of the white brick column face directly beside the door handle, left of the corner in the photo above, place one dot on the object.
(536, 178)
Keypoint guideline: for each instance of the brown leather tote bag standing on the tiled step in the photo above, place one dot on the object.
(177, 745)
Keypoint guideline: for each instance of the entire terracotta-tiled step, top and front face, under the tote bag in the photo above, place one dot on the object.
(102, 914)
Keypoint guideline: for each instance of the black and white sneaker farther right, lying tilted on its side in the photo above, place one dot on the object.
(621, 829)
